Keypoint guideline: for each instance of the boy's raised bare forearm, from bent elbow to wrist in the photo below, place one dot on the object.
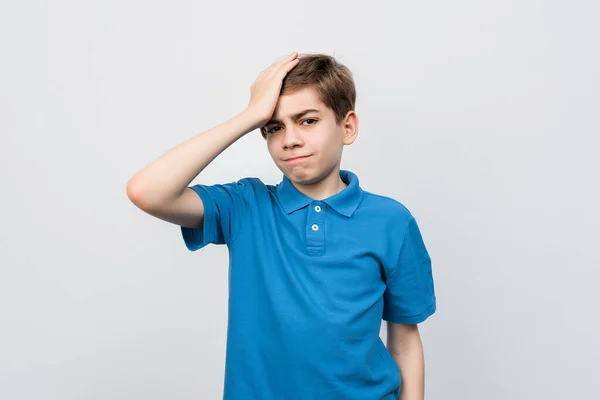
(167, 177)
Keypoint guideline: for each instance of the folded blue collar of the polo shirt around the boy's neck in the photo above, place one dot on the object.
(344, 202)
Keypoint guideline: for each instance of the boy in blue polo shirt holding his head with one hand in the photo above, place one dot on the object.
(315, 262)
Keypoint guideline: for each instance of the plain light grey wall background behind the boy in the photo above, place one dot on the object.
(480, 117)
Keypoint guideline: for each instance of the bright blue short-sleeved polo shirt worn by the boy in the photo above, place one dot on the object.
(309, 283)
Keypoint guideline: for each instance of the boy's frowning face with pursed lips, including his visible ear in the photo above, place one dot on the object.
(313, 135)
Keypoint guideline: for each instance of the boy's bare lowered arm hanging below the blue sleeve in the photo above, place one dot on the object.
(405, 346)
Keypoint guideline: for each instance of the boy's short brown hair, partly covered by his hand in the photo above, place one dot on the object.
(332, 81)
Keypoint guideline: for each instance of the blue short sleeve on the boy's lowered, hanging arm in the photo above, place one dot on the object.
(409, 297)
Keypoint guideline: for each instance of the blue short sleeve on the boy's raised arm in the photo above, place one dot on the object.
(225, 214)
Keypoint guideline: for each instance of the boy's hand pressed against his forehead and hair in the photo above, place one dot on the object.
(264, 92)
